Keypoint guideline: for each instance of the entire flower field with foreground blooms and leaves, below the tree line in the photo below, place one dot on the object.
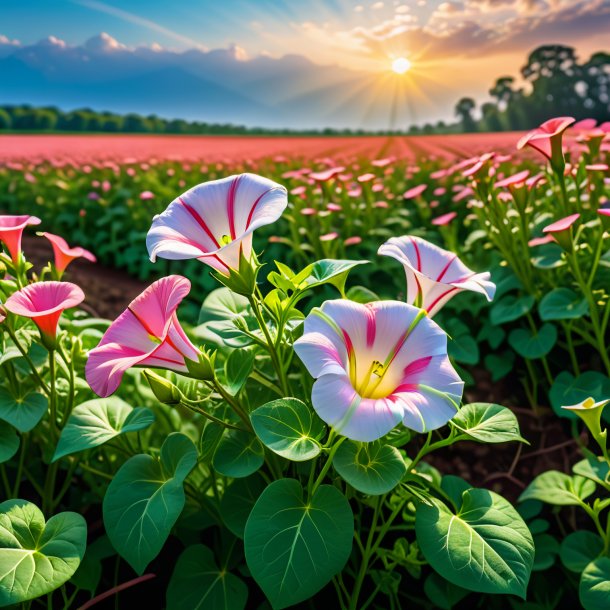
(364, 373)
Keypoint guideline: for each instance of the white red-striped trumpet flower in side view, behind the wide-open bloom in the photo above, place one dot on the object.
(434, 275)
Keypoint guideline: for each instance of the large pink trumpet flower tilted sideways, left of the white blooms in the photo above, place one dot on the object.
(147, 333)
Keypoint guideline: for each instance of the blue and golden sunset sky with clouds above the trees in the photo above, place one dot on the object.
(299, 63)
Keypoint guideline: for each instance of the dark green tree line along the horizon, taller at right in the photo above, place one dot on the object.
(554, 84)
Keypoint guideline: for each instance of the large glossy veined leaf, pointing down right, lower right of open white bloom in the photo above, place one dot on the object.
(485, 547)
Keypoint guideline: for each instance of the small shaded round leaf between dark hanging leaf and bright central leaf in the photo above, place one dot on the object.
(238, 454)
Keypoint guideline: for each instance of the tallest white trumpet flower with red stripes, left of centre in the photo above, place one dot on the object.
(214, 221)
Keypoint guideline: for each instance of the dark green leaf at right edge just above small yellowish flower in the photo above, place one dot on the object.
(569, 390)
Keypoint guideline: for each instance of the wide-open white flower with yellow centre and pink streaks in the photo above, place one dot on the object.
(376, 365)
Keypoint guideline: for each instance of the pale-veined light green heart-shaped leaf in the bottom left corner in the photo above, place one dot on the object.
(37, 557)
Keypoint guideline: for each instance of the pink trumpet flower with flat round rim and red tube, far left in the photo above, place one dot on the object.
(44, 302)
